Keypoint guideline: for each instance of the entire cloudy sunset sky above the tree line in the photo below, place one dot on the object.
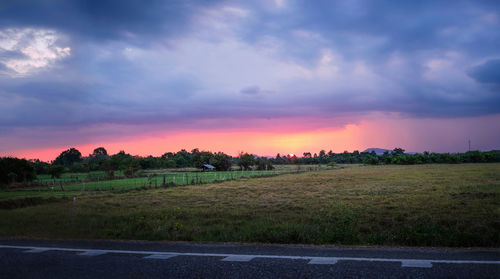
(259, 76)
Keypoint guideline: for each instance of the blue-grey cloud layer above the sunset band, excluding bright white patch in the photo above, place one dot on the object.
(130, 61)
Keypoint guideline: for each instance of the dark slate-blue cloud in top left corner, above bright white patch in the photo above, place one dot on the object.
(135, 21)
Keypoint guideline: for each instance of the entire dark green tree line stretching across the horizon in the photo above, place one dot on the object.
(14, 170)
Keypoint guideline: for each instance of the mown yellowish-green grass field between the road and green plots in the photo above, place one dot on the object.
(418, 205)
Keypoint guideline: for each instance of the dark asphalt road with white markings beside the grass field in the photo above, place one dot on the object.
(133, 259)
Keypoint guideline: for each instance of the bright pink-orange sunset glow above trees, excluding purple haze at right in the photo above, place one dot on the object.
(230, 142)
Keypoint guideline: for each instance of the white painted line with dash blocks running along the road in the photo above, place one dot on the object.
(311, 259)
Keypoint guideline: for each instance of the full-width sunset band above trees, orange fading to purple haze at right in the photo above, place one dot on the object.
(444, 135)
